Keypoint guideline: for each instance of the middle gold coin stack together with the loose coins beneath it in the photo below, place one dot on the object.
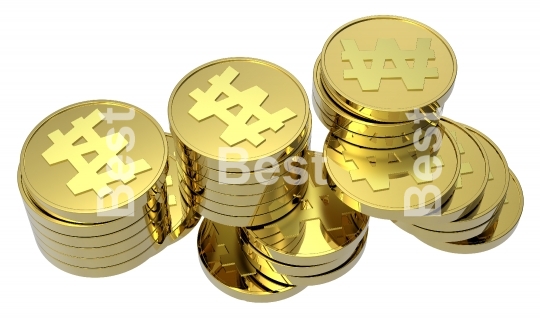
(272, 225)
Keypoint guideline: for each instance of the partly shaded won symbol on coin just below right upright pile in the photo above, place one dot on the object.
(393, 165)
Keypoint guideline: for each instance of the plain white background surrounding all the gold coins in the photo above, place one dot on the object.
(54, 53)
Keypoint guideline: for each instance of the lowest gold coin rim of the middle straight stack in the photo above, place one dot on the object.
(272, 213)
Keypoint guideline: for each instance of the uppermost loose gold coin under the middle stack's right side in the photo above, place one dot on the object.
(319, 230)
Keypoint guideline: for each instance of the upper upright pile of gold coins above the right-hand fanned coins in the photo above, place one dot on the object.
(379, 79)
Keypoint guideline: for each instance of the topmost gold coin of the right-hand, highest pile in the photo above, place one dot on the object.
(383, 67)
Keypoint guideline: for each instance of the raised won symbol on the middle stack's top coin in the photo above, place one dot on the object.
(250, 100)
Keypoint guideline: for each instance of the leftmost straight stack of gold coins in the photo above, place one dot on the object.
(94, 180)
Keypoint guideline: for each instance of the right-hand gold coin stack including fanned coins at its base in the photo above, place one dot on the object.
(380, 84)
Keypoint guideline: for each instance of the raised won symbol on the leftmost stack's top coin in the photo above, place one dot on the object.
(107, 148)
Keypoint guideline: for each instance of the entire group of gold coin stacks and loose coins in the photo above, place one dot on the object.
(105, 188)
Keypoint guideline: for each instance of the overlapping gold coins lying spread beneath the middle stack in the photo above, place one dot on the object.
(318, 241)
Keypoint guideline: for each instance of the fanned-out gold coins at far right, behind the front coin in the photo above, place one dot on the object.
(485, 207)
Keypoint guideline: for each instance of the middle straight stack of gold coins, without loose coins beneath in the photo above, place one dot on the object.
(240, 126)
